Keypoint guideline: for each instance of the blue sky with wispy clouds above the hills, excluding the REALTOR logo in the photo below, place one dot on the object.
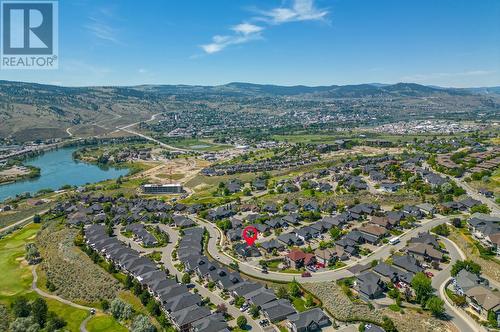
(321, 42)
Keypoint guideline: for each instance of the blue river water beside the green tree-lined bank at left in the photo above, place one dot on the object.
(58, 168)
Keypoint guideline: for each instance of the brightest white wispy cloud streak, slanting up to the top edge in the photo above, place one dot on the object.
(301, 10)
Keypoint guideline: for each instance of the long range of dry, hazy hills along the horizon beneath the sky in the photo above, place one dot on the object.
(30, 111)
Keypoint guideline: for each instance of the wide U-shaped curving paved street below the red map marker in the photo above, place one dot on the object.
(383, 252)
